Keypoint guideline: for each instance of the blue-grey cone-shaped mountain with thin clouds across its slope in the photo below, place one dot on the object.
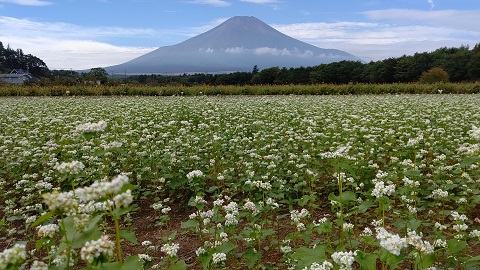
(237, 44)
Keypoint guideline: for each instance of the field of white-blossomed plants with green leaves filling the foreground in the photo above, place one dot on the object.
(265, 182)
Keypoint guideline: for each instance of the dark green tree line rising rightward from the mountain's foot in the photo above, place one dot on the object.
(442, 65)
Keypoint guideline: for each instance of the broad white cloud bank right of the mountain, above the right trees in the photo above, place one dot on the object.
(391, 33)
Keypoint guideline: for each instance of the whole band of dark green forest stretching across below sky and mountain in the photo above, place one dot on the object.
(444, 64)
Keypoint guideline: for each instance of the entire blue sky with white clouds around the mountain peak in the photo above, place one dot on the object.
(82, 34)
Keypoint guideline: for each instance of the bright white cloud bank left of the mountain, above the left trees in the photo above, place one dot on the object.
(65, 46)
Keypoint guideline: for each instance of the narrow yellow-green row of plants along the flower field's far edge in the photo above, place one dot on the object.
(318, 89)
